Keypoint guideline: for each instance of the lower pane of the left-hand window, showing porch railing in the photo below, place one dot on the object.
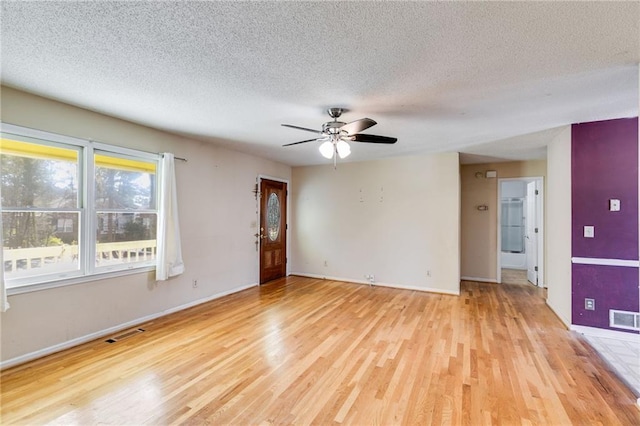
(35, 244)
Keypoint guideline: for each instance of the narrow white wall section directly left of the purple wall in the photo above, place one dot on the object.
(558, 236)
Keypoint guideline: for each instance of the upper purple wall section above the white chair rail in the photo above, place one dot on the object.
(604, 163)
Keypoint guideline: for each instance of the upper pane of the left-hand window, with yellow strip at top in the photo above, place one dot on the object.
(38, 176)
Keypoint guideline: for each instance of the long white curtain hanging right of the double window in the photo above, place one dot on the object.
(169, 251)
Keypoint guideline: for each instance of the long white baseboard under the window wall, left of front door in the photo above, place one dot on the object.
(102, 333)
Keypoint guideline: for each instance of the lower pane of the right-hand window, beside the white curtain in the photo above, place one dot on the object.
(125, 238)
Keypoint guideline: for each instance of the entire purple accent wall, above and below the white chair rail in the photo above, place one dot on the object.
(604, 165)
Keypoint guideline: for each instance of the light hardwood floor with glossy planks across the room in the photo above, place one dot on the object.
(305, 351)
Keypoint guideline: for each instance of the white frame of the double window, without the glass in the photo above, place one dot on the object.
(86, 205)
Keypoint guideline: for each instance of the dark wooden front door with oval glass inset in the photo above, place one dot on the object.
(273, 230)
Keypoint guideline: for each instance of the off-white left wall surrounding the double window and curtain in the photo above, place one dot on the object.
(217, 214)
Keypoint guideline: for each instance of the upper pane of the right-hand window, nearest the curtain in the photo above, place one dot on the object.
(122, 183)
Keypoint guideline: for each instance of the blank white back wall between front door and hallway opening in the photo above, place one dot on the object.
(396, 219)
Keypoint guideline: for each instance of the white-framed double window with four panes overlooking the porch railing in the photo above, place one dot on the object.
(73, 208)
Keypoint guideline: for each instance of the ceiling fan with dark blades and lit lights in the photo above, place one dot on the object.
(335, 135)
